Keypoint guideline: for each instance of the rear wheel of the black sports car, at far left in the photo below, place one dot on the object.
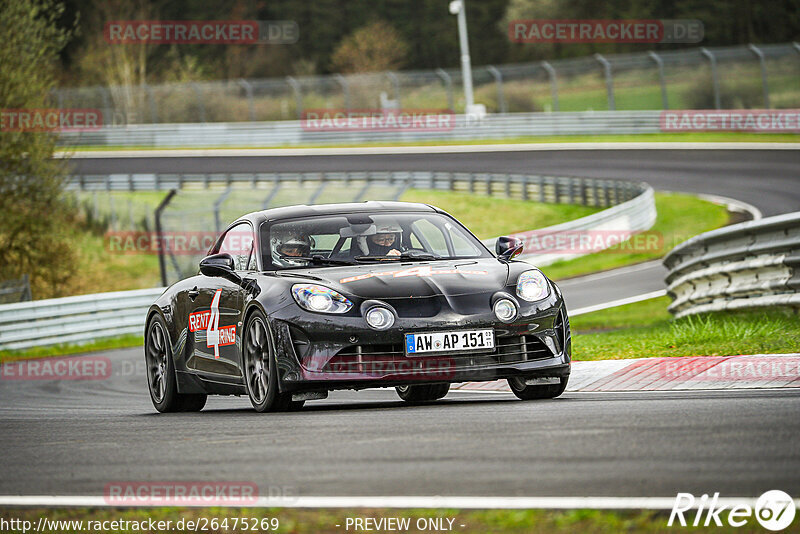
(160, 370)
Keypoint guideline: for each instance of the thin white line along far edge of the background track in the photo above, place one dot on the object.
(437, 149)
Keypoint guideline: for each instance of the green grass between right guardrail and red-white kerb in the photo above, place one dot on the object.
(645, 329)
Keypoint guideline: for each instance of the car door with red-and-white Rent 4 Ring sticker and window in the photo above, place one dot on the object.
(215, 318)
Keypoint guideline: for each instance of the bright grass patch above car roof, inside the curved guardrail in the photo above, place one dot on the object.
(490, 217)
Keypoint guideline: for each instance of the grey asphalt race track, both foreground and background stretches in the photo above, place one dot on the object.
(73, 437)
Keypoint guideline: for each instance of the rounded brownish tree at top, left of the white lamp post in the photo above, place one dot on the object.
(371, 48)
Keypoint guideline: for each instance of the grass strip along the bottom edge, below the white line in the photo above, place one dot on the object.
(324, 521)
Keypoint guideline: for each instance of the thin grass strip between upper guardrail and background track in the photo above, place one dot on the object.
(688, 137)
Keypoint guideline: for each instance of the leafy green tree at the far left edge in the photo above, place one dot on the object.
(35, 217)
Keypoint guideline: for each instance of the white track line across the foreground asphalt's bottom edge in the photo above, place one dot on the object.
(437, 501)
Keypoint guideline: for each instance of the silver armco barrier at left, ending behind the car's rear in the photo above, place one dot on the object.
(74, 319)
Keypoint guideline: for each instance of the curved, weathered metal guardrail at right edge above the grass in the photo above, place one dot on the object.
(753, 264)
